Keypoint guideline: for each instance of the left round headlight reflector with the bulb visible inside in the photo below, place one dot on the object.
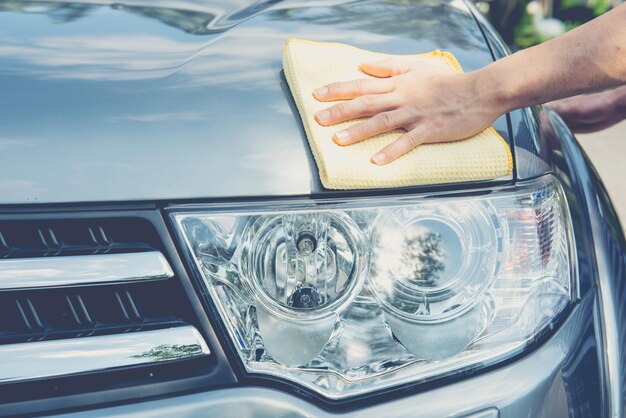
(303, 265)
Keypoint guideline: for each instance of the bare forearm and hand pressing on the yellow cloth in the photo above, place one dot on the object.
(435, 104)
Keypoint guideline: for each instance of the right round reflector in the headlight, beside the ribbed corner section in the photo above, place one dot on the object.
(432, 262)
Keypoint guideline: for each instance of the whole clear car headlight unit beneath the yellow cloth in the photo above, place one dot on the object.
(350, 297)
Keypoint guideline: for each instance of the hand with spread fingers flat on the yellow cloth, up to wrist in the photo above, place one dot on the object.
(430, 101)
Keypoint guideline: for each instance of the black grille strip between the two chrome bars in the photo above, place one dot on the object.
(42, 314)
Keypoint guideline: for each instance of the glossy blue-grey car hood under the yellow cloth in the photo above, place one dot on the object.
(158, 100)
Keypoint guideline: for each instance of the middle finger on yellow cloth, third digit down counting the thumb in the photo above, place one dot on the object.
(356, 108)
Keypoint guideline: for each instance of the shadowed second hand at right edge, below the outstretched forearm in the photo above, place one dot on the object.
(592, 112)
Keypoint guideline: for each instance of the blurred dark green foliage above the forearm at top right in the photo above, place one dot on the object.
(524, 23)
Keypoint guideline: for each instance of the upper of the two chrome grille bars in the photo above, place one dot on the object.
(47, 272)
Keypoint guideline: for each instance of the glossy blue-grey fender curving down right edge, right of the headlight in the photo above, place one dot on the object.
(600, 242)
